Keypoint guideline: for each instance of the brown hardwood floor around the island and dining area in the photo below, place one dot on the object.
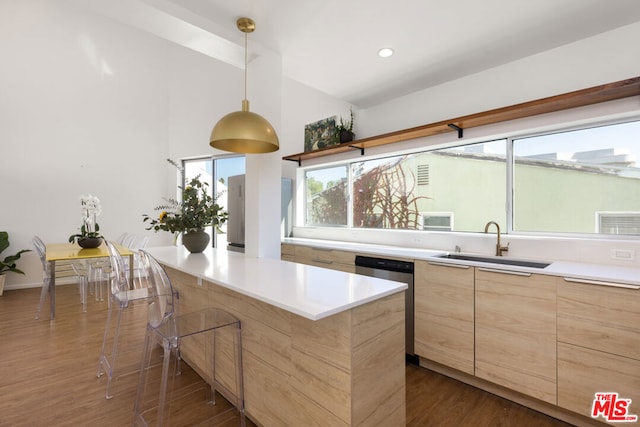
(48, 374)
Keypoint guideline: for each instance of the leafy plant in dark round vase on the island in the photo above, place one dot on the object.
(190, 216)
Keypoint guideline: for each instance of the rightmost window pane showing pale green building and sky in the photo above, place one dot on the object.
(562, 181)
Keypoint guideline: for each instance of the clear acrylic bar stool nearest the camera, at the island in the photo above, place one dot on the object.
(156, 392)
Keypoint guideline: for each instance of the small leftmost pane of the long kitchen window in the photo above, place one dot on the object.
(326, 196)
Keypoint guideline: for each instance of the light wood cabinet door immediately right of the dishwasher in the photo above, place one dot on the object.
(444, 314)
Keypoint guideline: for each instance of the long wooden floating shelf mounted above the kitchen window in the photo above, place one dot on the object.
(579, 98)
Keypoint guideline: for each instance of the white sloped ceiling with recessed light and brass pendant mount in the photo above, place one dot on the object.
(331, 45)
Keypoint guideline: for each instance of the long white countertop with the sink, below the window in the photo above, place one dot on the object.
(575, 270)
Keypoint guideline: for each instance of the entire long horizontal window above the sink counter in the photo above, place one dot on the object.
(582, 181)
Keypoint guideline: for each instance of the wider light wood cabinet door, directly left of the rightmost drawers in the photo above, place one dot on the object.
(516, 332)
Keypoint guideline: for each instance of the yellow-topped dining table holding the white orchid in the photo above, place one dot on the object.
(71, 251)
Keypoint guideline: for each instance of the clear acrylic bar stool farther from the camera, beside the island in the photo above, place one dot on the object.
(122, 295)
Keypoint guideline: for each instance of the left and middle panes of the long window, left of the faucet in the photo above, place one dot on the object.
(395, 192)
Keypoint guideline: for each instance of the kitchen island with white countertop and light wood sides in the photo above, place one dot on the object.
(320, 347)
